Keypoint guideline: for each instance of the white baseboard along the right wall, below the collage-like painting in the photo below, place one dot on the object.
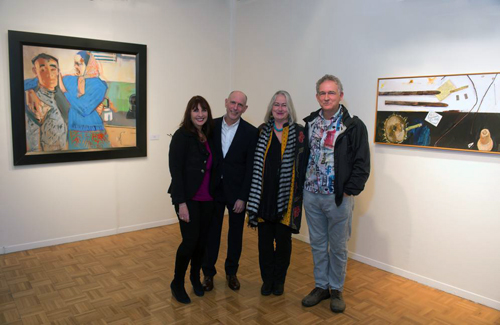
(427, 281)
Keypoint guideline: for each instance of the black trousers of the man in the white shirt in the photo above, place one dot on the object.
(234, 240)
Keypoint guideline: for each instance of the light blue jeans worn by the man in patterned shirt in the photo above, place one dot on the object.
(329, 231)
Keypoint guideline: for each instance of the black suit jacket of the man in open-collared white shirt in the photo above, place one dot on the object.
(232, 174)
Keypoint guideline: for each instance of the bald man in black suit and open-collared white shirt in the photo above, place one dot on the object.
(234, 147)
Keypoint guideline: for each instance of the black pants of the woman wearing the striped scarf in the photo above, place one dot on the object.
(274, 261)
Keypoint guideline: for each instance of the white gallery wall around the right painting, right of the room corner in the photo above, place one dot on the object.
(429, 215)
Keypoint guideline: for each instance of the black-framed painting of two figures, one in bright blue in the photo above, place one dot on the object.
(76, 99)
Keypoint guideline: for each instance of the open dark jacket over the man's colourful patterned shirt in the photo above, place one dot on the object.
(351, 155)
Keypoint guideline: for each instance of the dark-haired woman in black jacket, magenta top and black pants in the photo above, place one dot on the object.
(190, 162)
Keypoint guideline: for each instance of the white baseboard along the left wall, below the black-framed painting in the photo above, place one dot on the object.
(97, 234)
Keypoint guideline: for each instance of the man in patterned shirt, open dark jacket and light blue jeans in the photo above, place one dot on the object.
(337, 170)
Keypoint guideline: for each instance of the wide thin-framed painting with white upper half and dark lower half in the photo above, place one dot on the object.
(457, 112)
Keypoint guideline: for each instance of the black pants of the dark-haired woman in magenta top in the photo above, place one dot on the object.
(194, 238)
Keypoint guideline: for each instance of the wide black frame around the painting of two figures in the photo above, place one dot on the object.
(21, 156)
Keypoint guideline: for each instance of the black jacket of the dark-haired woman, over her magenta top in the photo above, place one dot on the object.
(188, 159)
